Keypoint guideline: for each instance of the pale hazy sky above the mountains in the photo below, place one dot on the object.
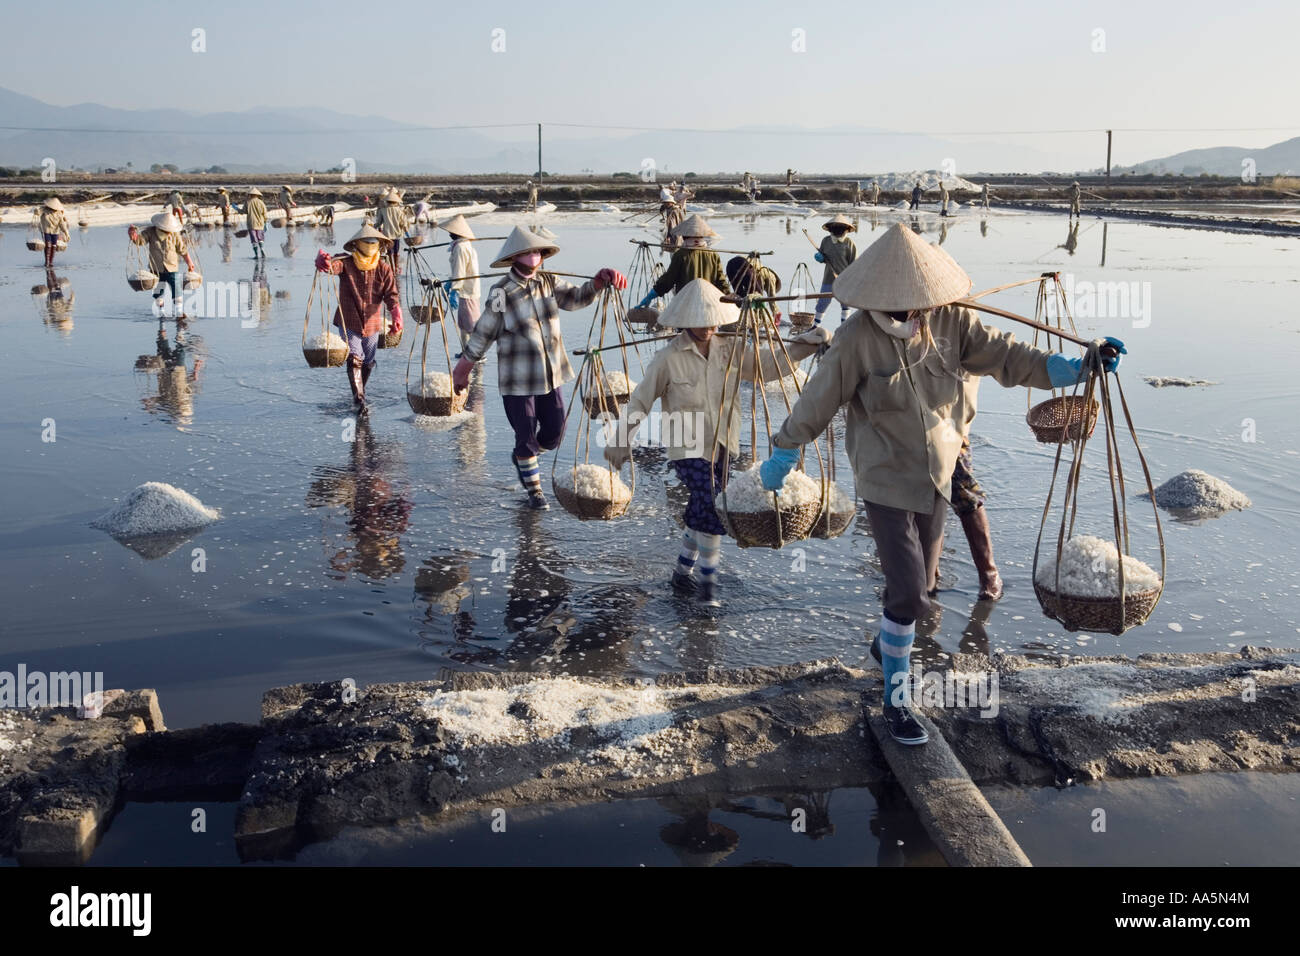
(938, 67)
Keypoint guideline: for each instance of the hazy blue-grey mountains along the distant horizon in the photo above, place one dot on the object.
(288, 140)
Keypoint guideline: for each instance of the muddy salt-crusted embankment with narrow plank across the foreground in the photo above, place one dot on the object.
(326, 758)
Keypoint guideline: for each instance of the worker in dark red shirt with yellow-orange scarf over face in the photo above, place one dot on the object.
(366, 284)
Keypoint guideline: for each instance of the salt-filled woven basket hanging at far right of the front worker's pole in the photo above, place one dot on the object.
(1089, 589)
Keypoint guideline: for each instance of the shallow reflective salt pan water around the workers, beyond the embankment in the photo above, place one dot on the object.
(406, 550)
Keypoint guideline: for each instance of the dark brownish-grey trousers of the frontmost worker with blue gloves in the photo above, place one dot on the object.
(909, 546)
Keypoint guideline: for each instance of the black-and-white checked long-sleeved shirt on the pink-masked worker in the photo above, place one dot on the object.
(523, 318)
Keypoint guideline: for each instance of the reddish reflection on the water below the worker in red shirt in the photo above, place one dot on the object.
(374, 490)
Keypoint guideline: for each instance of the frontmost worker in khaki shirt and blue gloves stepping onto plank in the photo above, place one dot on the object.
(905, 403)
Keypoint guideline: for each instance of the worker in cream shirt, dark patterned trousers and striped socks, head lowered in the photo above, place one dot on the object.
(687, 377)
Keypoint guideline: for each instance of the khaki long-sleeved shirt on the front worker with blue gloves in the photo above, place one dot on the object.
(907, 417)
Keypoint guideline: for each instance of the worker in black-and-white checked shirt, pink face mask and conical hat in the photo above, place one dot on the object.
(532, 364)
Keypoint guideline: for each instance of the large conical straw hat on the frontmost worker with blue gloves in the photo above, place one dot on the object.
(902, 272)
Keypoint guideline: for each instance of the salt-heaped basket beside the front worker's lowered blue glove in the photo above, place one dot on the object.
(759, 518)
